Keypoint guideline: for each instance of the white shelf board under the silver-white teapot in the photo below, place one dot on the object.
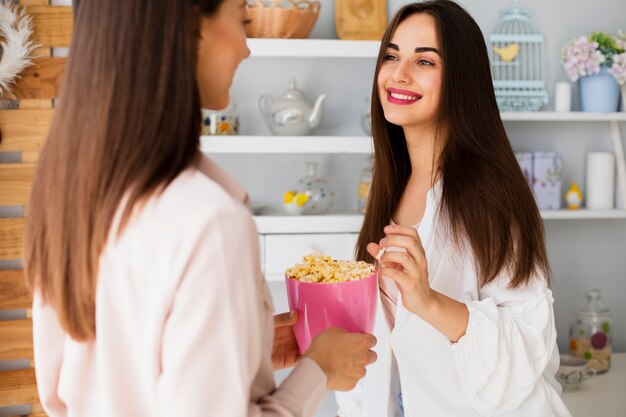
(286, 144)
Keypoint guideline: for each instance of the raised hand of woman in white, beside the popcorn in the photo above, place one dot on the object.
(409, 269)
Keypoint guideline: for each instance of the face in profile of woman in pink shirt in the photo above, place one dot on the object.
(221, 47)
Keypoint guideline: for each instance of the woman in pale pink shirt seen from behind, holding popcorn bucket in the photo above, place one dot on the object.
(141, 253)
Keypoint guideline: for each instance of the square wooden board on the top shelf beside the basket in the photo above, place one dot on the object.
(360, 19)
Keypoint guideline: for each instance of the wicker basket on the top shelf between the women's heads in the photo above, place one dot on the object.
(273, 20)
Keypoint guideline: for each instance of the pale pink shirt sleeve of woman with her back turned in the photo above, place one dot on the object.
(214, 339)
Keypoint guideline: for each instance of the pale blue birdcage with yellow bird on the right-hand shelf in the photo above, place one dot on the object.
(517, 60)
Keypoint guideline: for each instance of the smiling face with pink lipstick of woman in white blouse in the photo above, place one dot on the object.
(410, 76)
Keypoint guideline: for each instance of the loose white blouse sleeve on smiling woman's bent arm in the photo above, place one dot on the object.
(508, 343)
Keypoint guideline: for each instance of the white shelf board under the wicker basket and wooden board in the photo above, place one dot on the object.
(313, 48)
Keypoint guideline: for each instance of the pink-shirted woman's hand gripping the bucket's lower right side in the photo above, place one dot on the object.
(342, 356)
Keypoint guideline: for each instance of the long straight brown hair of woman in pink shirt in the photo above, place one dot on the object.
(127, 124)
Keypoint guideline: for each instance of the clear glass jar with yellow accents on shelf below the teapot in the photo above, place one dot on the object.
(311, 194)
